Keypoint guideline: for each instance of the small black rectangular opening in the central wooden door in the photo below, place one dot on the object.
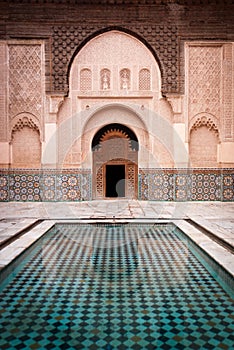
(115, 180)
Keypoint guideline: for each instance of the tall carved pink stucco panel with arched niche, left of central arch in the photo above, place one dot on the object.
(22, 113)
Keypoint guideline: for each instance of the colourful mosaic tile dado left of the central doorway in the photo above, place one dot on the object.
(53, 185)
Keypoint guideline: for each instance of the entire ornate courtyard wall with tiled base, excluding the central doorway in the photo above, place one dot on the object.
(181, 92)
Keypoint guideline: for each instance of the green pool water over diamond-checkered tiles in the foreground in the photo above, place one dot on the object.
(127, 286)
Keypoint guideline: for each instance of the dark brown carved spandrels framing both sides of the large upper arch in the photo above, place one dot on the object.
(163, 40)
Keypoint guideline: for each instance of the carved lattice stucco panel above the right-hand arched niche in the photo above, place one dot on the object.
(209, 84)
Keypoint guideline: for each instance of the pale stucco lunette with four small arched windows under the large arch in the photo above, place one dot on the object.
(113, 61)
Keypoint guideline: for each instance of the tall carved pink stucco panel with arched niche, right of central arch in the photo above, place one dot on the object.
(209, 91)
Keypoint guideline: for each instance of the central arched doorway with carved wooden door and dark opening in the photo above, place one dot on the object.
(115, 162)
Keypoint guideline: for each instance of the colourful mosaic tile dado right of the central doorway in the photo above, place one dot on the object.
(186, 184)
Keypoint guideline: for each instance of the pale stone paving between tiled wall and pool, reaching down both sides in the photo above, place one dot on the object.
(217, 216)
